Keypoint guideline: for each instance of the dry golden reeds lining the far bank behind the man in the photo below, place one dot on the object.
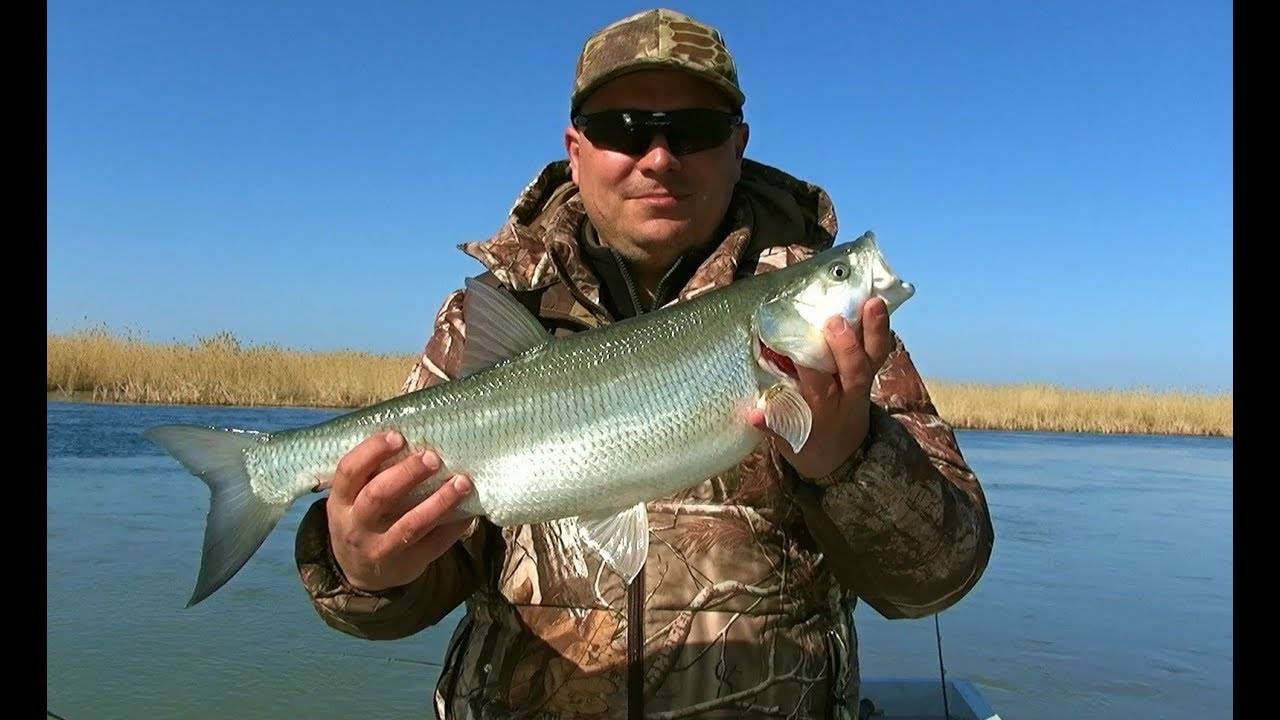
(115, 367)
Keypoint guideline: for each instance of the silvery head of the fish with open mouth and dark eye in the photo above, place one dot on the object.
(835, 282)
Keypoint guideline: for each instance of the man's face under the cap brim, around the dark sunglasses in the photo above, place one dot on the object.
(652, 208)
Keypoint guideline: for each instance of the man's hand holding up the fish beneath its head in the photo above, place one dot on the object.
(840, 403)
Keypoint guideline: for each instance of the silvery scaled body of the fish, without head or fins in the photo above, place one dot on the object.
(664, 430)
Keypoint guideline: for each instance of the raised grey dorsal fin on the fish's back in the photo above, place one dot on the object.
(499, 329)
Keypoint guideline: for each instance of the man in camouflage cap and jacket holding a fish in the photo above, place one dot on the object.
(746, 604)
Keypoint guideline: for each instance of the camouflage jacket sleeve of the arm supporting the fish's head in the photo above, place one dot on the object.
(904, 522)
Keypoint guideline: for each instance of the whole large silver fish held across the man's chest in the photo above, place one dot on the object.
(589, 427)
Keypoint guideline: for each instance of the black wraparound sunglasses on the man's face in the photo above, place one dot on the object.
(633, 131)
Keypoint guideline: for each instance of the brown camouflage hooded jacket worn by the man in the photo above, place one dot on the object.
(746, 604)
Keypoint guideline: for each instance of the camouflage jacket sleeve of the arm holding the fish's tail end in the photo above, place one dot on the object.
(401, 612)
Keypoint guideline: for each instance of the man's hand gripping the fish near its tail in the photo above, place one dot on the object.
(381, 539)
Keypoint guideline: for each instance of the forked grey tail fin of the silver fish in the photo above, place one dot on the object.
(239, 520)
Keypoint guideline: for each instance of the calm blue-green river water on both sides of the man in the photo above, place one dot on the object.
(1109, 593)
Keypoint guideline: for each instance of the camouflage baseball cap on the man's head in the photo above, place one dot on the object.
(656, 39)
